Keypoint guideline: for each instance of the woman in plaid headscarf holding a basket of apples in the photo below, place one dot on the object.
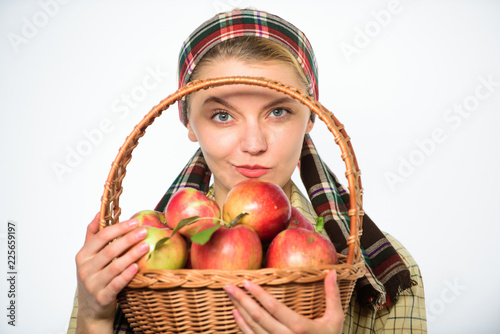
(253, 132)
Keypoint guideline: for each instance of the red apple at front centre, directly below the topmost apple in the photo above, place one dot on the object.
(229, 248)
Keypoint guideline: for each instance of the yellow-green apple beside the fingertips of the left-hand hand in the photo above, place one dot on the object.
(171, 255)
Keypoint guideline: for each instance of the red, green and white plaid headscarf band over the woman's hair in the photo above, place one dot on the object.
(246, 22)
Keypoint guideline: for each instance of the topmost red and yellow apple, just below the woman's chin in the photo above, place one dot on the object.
(266, 204)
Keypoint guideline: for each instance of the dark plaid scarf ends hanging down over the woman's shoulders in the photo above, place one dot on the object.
(386, 275)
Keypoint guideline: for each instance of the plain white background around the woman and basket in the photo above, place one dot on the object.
(69, 67)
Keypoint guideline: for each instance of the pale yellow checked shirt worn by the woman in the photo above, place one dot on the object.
(407, 315)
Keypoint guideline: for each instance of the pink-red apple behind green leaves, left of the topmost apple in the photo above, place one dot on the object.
(189, 202)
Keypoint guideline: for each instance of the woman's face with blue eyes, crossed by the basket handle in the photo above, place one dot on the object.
(248, 131)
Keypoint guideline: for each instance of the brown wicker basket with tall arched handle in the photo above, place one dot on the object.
(194, 301)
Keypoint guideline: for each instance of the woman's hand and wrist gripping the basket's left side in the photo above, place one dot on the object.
(105, 265)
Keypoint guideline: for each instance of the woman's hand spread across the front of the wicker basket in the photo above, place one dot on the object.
(275, 317)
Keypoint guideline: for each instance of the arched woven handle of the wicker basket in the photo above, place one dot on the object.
(110, 208)
